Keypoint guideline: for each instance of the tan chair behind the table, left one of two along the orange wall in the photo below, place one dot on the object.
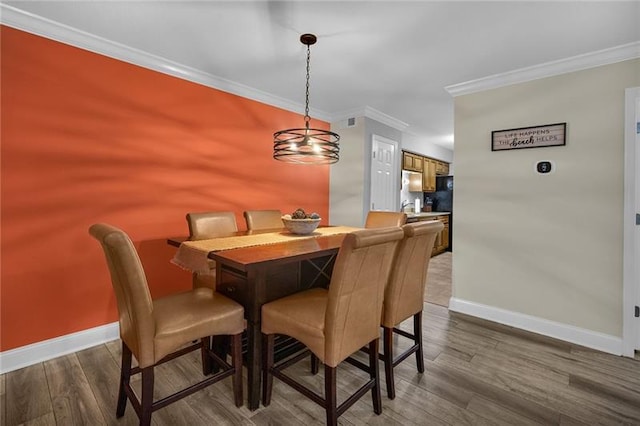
(205, 225)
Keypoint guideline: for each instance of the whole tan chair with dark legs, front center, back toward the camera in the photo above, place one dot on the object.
(335, 323)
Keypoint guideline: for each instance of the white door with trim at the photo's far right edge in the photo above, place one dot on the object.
(631, 225)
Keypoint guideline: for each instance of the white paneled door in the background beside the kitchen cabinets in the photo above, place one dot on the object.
(384, 174)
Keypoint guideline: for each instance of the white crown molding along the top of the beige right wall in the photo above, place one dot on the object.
(575, 63)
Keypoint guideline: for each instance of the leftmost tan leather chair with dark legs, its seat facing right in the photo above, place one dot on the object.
(156, 331)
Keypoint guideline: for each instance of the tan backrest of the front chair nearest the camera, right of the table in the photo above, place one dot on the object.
(356, 292)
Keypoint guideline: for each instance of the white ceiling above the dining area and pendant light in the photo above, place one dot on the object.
(392, 56)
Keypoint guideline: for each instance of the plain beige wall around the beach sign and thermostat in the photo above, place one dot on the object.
(544, 246)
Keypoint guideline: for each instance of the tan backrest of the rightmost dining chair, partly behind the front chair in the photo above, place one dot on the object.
(404, 295)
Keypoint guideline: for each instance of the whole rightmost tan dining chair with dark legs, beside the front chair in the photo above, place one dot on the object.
(404, 295)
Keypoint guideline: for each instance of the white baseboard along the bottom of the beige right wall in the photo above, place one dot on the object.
(580, 336)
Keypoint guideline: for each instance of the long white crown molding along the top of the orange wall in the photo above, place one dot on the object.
(34, 24)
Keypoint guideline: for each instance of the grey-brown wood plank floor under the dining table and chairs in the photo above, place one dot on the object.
(477, 373)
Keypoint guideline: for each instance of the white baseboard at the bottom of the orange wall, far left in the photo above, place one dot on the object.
(48, 349)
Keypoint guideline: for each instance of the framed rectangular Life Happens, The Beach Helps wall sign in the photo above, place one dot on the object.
(529, 137)
